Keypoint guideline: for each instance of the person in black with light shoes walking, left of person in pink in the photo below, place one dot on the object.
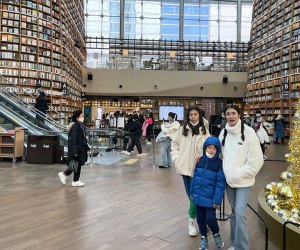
(135, 134)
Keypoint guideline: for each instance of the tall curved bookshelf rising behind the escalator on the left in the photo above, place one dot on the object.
(42, 46)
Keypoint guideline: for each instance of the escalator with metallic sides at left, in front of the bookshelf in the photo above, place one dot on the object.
(14, 111)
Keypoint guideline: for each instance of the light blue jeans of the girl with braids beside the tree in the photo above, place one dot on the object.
(238, 199)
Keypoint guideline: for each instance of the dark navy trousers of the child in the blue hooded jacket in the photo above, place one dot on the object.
(206, 216)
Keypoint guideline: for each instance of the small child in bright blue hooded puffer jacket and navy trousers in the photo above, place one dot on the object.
(207, 189)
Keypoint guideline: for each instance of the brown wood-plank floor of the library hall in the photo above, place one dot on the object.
(123, 206)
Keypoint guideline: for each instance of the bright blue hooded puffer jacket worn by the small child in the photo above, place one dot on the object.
(208, 183)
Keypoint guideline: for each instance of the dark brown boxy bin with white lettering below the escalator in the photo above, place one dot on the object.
(41, 149)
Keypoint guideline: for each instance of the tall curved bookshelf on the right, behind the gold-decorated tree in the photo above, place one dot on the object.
(274, 63)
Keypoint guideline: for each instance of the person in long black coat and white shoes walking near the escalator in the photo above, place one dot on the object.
(77, 148)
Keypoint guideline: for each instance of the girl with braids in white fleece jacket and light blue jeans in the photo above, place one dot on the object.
(242, 160)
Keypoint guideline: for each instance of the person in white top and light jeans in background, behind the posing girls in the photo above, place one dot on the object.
(169, 128)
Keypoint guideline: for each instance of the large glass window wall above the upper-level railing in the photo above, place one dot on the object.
(203, 20)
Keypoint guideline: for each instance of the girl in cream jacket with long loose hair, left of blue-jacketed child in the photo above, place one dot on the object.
(186, 149)
